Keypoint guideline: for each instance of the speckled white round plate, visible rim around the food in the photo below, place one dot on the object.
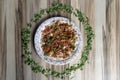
(38, 41)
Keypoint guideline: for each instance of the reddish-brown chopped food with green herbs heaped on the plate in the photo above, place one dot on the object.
(59, 40)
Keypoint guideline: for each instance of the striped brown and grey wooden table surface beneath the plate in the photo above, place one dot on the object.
(103, 59)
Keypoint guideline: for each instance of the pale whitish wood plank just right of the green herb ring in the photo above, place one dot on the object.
(99, 23)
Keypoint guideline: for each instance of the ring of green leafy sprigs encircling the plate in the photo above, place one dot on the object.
(85, 53)
